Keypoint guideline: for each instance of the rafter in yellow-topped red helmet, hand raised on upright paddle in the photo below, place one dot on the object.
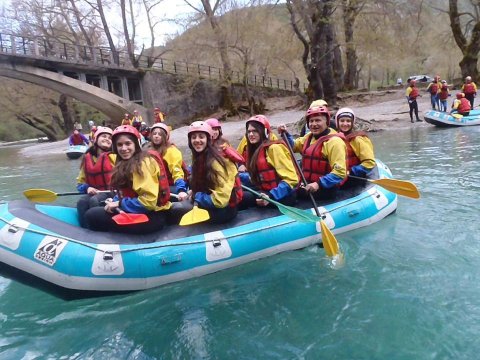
(324, 155)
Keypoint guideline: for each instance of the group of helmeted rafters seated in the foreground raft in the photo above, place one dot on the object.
(118, 175)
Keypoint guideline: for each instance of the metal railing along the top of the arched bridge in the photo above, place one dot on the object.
(43, 48)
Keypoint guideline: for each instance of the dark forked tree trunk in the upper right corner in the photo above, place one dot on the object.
(470, 48)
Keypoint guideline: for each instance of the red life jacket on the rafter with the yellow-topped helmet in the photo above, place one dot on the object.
(314, 165)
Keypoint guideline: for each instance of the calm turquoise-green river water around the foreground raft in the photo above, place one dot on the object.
(409, 288)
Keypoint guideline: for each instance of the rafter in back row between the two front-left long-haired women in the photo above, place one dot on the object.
(177, 172)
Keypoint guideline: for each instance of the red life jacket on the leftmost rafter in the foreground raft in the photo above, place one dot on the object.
(98, 174)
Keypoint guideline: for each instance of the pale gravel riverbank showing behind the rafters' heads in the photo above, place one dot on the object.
(375, 111)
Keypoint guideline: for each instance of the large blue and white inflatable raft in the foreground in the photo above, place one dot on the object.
(47, 241)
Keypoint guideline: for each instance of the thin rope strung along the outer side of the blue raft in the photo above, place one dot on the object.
(159, 246)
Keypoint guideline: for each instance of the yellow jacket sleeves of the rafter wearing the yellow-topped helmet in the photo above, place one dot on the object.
(334, 150)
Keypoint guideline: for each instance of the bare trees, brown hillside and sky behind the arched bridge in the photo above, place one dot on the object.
(329, 45)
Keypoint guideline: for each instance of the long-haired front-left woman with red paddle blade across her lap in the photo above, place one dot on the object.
(141, 186)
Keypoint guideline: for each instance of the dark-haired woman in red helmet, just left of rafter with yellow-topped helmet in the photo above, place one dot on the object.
(270, 166)
